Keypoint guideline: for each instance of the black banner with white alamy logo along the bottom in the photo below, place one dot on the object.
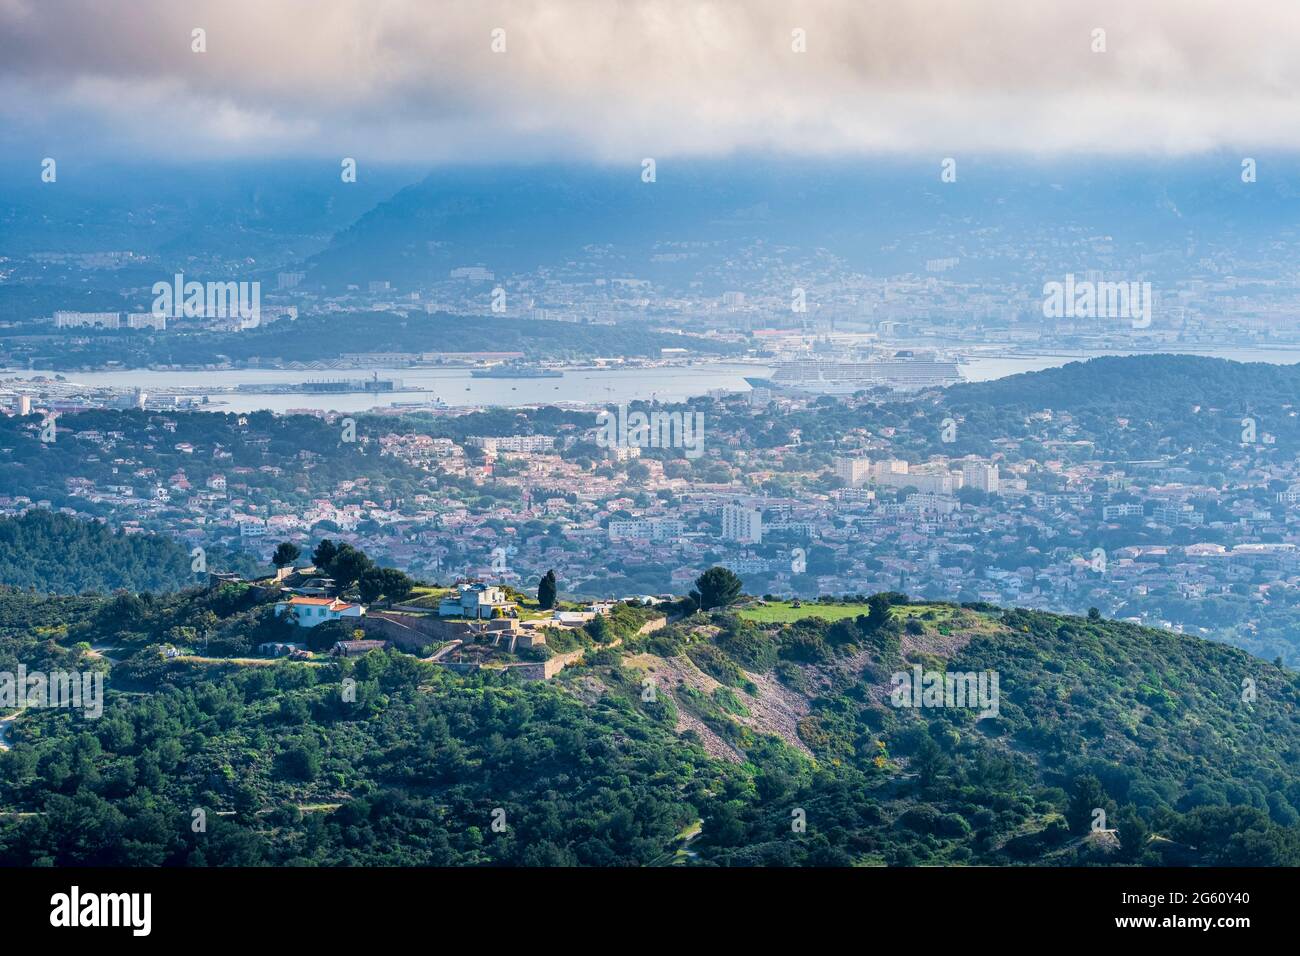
(233, 906)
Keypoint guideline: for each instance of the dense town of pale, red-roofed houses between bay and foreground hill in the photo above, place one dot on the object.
(1038, 521)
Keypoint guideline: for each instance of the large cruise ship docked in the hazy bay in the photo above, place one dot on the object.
(904, 371)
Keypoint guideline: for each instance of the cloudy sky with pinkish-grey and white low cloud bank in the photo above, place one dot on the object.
(617, 81)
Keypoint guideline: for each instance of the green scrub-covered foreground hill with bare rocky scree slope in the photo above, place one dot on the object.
(696, 745)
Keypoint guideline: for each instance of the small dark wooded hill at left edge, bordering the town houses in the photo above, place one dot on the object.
(60, 555)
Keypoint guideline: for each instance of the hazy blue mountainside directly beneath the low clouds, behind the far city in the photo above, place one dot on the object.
(879, 219)
